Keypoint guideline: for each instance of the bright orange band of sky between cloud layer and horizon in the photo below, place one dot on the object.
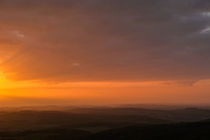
(101, 93)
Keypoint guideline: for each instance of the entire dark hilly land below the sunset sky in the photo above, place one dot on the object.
(106, 124)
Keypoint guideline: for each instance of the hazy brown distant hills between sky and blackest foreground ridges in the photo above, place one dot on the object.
(97, 119)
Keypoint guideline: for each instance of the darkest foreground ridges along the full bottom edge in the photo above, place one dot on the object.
(182, 131)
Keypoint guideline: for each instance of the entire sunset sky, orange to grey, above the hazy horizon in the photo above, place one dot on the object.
(101, 52)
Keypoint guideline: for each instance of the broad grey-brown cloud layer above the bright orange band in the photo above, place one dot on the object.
(106, 39)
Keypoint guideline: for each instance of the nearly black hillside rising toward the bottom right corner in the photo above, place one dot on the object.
(183, 131)
